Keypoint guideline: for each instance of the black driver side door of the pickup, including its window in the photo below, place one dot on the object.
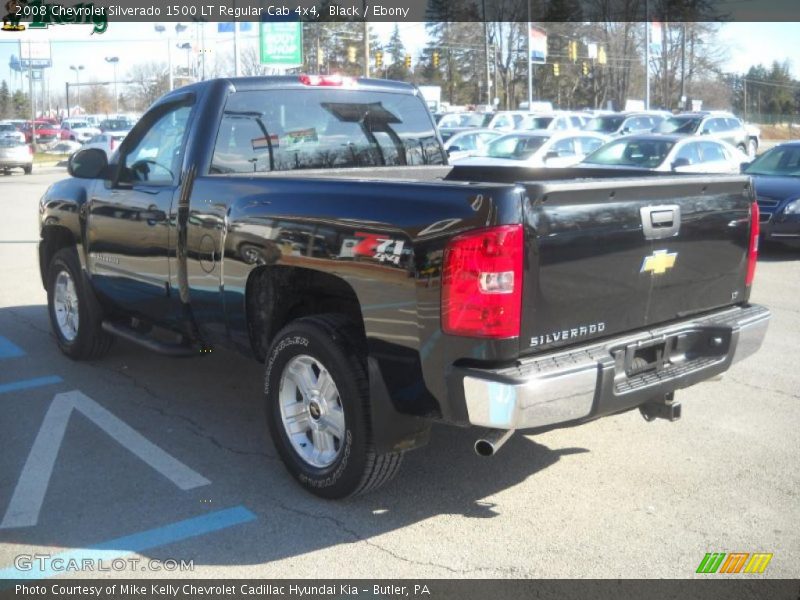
(129, 233)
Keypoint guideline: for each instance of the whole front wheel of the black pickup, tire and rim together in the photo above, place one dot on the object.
(75, 314)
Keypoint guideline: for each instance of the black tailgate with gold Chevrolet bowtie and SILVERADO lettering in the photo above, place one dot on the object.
(611, 256)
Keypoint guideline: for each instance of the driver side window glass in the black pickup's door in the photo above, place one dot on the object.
(156, 158)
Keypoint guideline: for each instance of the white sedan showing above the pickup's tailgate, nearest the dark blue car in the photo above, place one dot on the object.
(677, 153)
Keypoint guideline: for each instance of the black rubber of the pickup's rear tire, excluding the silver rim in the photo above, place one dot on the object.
(329, 339)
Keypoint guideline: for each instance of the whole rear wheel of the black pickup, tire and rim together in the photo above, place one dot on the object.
(322, 351)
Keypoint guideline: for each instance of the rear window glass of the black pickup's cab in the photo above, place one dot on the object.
(284, 130)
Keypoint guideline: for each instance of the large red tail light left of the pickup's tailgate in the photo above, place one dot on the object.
(482, 283)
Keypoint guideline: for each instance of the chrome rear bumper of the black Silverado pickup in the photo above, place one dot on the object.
(590, 381)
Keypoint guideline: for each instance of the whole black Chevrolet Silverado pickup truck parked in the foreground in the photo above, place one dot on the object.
(313, 224)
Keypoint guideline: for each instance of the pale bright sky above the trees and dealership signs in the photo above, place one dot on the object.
(747, 44)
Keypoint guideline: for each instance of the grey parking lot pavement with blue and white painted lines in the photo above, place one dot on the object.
(140, 457)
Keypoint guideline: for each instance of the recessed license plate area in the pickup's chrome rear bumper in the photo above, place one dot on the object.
(682, 348)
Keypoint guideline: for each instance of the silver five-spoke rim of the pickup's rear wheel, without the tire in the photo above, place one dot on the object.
(311, 411)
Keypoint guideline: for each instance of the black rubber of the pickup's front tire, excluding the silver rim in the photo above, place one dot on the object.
(90, 340)
